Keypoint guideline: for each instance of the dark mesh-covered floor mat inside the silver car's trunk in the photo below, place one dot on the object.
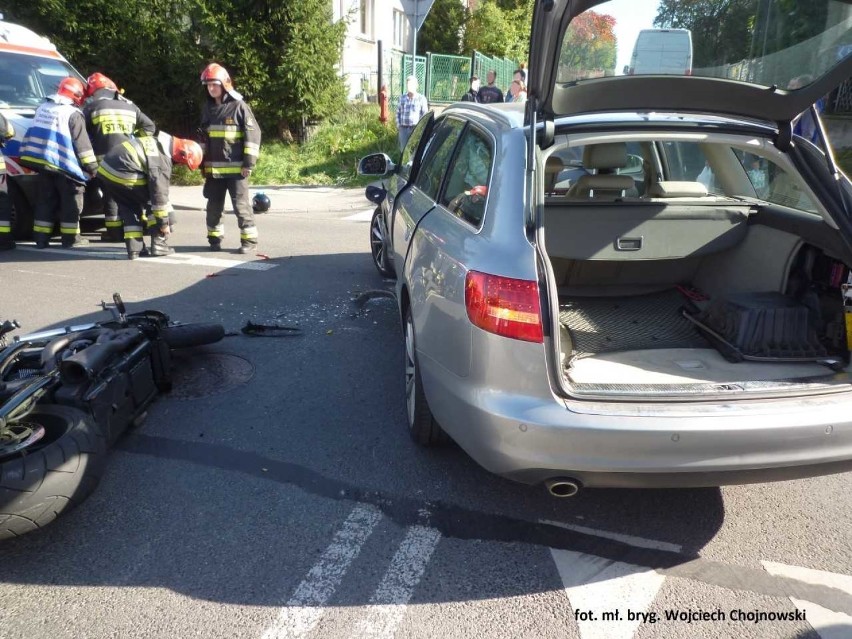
(603, 325)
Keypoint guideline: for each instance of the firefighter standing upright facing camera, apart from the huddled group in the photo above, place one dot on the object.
(232, 145)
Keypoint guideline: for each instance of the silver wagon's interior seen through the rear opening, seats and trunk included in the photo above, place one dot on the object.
(690, 266)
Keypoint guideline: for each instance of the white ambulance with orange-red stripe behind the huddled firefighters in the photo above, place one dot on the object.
(30, 69)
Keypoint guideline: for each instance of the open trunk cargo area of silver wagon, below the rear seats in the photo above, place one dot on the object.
(694, 299)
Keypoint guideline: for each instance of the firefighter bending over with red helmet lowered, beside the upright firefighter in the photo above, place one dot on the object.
(137, 174)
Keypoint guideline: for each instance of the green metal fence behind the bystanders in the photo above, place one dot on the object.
(443, 78)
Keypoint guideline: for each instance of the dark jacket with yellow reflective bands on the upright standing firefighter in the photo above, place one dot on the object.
(232, 137)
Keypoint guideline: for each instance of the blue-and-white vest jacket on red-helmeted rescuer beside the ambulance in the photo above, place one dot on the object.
(49, 143)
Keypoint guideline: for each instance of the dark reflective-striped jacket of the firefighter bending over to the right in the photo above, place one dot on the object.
(142, 168)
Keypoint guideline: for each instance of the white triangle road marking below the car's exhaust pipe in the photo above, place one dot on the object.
(596, 586)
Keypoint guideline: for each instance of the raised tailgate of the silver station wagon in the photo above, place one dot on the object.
(748, 56)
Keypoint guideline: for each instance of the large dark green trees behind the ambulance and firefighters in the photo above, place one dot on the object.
(282, 56)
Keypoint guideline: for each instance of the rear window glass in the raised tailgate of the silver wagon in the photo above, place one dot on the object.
(786, 43)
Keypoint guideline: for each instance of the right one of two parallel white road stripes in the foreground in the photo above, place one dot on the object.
(389, 602)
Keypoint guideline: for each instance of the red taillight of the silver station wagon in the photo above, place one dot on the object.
(504, 306)
